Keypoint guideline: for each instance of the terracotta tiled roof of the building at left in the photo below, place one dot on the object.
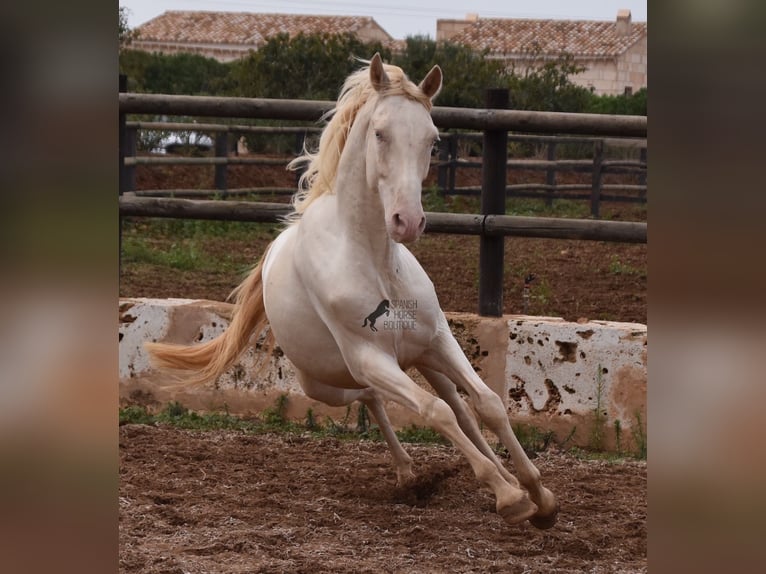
(243, 27)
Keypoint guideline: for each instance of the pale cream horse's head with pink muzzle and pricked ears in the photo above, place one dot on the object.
(400, 138)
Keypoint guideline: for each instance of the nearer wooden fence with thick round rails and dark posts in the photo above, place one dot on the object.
(491, 225)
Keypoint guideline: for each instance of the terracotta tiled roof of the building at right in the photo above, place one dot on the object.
(549, 37)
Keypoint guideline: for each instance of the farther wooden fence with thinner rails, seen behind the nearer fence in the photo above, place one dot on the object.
(447, 163)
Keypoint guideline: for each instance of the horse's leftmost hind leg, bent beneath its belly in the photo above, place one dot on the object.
(337, 397)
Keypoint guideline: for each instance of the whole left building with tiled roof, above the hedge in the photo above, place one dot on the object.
(228, 36)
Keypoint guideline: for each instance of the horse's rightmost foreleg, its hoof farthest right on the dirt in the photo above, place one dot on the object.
(448, 358)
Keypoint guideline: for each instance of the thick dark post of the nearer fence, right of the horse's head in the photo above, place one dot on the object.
(493, 184)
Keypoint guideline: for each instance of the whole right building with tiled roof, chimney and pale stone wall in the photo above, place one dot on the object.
(614, 53)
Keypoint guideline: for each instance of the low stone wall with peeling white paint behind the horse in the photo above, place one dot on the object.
(573, 379)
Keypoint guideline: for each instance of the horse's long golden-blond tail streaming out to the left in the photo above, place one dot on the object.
(206, 362)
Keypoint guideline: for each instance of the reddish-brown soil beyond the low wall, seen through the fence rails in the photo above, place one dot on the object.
(573, 279)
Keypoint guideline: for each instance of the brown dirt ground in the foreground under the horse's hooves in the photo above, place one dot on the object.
(228, 502)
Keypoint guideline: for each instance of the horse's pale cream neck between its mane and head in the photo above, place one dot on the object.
(360, 210)
